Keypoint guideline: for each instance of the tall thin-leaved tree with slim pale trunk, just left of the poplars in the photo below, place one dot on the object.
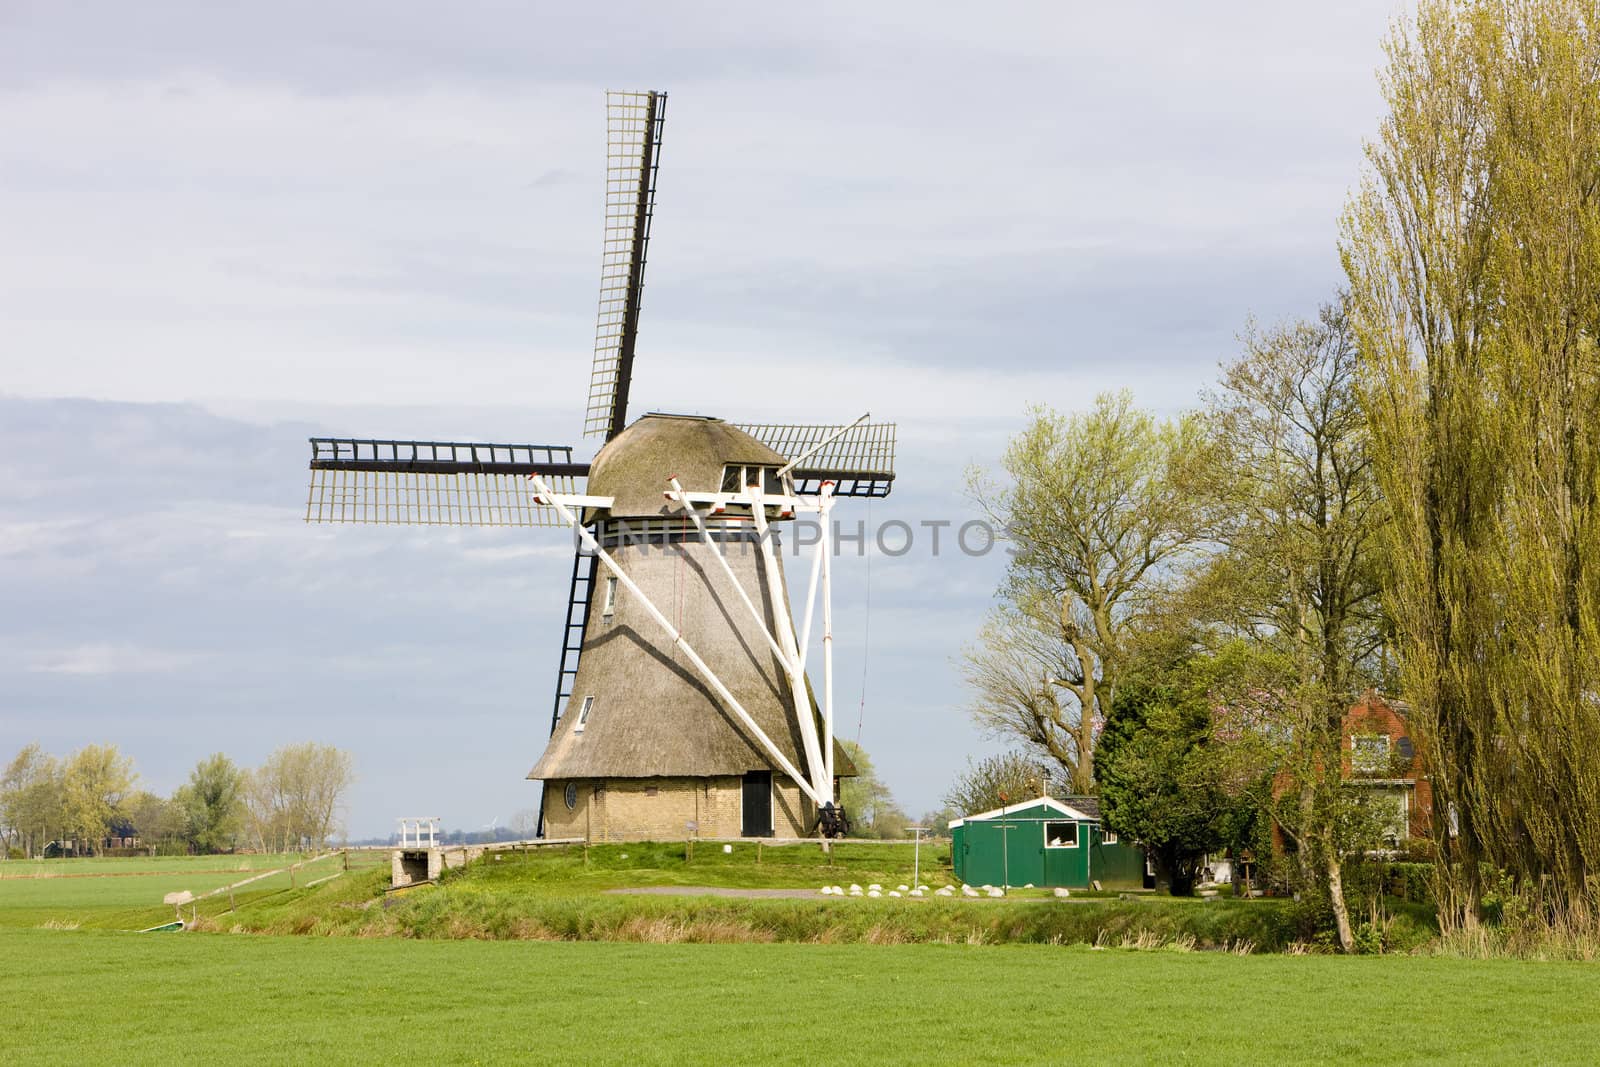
(1298, 516)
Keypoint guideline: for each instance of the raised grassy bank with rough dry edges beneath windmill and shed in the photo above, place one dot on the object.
(561, 895)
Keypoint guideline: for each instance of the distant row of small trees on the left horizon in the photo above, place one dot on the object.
(90, 802)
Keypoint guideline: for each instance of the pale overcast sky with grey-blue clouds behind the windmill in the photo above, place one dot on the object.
(223, 231)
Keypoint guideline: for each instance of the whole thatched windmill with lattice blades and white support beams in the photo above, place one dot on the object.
(682, 701)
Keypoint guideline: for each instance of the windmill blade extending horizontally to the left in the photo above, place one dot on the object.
(434, 484)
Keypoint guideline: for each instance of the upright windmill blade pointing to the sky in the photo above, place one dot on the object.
(633, 159)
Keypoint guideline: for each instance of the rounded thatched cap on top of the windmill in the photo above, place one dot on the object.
(638, 465)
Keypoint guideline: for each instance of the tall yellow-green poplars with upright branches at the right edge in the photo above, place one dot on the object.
(1473, 252)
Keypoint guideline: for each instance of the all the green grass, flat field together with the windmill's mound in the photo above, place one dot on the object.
(532, 959)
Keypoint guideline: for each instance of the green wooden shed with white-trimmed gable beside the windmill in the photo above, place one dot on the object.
(1044, 842)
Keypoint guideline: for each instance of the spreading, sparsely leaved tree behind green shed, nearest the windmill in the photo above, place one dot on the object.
(1094, 508)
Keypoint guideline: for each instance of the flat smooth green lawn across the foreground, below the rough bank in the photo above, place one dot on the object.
(98, 997)
